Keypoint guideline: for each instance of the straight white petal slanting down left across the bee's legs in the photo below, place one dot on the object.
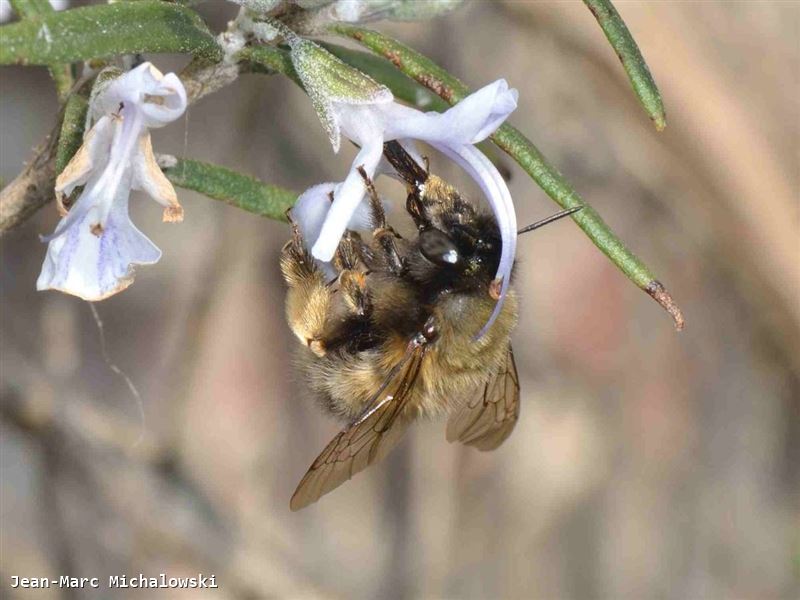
(346, 200)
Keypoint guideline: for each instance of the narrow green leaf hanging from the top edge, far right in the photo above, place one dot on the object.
(632, 60)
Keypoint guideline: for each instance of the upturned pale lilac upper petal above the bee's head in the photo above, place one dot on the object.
(470, 121)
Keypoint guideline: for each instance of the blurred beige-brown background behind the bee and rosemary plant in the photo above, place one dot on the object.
(646, 464)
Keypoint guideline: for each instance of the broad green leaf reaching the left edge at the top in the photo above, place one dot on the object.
(106, 30)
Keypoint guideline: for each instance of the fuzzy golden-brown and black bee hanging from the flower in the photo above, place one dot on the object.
(392, 337)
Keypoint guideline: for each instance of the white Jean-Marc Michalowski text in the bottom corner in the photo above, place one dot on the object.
(117, 581)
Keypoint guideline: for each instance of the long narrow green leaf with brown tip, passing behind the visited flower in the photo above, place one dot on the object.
(522, 150)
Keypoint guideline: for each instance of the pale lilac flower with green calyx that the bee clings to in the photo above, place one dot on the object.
(370, 116)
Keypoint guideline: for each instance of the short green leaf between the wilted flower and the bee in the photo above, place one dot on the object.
(236, 189)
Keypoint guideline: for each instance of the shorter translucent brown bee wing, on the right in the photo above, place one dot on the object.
(488, 418)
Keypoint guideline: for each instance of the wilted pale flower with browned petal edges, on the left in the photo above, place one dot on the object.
(93, 250)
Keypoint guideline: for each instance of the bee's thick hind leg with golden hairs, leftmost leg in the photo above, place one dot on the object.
(308, 300)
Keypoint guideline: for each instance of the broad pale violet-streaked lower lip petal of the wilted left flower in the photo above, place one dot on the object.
(92, 266)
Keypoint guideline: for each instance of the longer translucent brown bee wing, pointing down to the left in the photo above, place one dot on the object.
(368, 439)
